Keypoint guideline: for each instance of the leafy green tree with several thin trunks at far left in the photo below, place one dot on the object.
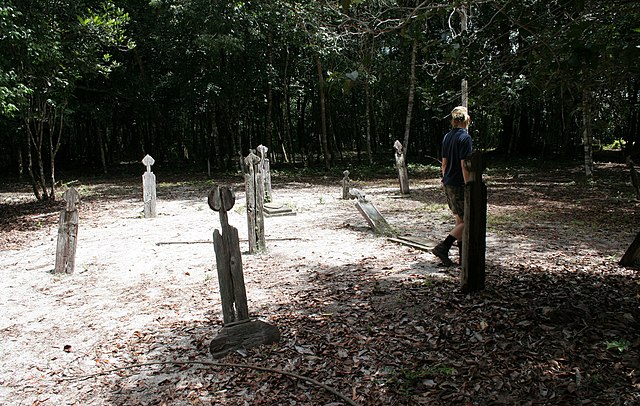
(55, 44)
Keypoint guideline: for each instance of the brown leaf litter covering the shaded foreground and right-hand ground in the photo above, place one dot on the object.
(558, 321)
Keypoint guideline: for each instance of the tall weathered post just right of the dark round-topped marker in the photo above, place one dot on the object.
(255, 204)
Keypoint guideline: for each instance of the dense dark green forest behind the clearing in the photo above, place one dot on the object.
(198, 82)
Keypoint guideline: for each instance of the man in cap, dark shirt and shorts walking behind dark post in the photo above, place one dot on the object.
(456, 146)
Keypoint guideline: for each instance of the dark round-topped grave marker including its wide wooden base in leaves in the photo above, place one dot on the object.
(239, 331)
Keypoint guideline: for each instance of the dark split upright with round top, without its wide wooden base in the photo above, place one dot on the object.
(228, 258)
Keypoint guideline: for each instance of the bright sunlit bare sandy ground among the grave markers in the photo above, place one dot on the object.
(134, 275)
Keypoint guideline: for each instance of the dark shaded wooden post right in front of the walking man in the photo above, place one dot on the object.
(475, 227)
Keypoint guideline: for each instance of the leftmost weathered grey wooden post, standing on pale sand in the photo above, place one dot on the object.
(67, 233)
